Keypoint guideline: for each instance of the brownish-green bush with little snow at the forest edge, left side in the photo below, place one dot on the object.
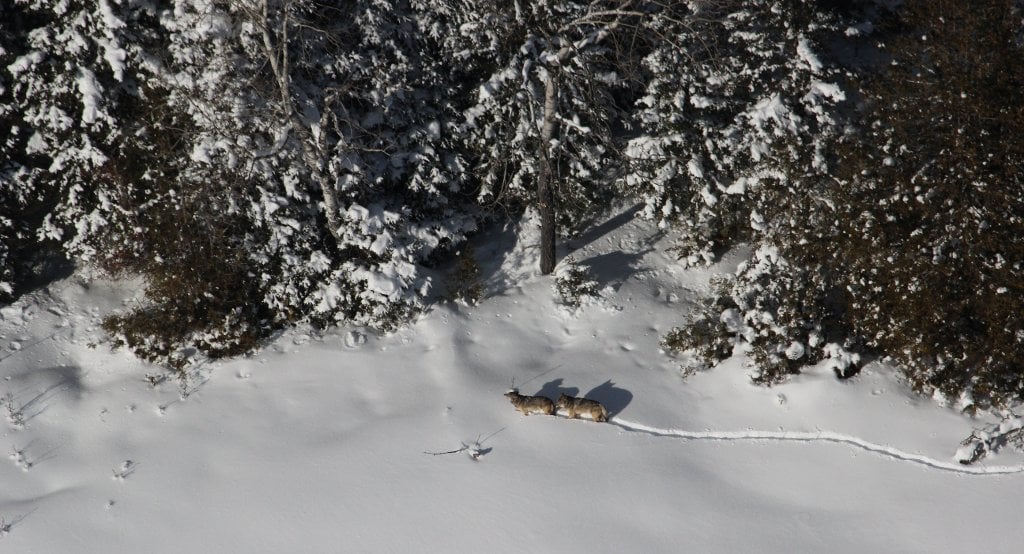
(200, 288)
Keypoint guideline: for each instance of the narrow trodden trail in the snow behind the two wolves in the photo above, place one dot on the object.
(820, 437)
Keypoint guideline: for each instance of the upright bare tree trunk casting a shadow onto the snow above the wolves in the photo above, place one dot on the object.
(545, 178)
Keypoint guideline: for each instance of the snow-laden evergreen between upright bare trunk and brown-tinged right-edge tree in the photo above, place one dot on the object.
(741, 100)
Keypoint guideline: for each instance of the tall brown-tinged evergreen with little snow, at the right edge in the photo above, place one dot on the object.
(931, 214)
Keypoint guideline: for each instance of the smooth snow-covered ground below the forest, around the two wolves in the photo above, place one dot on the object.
(334, 442)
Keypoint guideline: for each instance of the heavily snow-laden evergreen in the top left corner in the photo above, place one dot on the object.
(71, 89)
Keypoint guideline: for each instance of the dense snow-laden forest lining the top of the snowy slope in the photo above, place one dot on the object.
(267, 163)
